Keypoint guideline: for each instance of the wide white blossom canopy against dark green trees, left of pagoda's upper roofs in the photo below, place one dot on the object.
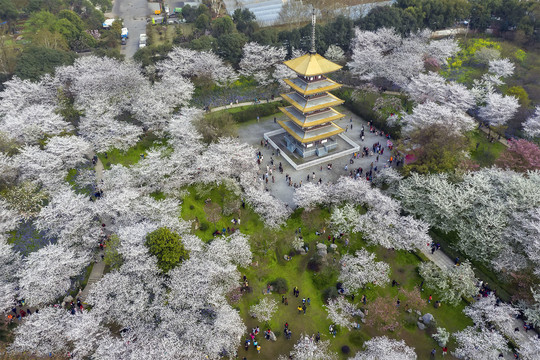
(182, 62)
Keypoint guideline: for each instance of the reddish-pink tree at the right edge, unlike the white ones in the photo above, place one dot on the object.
(521, 156)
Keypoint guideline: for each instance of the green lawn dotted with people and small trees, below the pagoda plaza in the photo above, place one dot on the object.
(269, 248)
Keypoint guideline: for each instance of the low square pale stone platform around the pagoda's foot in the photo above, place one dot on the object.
(300, 159)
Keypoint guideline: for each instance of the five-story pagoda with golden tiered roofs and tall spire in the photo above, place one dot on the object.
(310, 128)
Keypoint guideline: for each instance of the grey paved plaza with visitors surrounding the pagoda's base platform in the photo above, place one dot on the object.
(252, 133)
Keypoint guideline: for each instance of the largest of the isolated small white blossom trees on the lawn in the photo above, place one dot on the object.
(361, 269)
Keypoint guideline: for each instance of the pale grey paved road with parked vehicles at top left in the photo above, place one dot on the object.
(134, 13)
